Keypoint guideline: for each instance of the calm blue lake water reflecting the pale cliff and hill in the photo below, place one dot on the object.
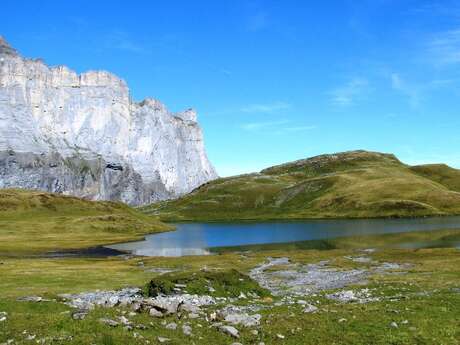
(198, 238)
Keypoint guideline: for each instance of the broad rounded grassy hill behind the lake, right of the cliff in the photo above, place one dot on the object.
(349, 184)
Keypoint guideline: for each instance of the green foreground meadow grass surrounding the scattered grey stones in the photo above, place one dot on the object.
(431, 306)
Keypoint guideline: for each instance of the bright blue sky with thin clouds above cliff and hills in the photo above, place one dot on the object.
(272, 81)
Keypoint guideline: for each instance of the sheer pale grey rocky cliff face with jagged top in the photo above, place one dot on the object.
(83, 135)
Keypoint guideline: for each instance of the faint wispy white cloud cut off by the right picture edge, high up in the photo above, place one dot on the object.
(444, 47)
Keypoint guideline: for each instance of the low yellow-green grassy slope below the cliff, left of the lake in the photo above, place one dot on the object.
(35, 222)
